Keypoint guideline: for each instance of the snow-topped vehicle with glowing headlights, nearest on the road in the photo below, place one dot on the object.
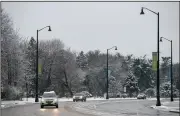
(49, 99)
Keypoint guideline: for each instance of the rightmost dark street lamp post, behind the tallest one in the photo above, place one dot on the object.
(171, 67)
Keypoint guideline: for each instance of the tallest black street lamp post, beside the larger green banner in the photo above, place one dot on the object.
(158, 80)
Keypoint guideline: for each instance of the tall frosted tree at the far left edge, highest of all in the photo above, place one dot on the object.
(11, 56)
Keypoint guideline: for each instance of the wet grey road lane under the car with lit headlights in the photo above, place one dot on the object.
(35, 110)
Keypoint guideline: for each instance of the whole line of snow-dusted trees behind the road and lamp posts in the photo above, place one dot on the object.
(67, 72)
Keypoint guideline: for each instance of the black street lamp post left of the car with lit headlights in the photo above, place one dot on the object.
(36, 99)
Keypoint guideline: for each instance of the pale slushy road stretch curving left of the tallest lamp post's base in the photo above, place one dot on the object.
(132, 108)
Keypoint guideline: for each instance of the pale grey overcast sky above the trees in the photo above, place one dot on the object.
(91, 26)
